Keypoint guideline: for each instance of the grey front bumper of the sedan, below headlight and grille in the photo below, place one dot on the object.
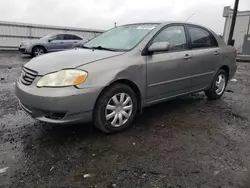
(57, 105)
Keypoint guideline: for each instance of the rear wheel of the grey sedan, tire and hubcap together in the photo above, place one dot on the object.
(214, 93)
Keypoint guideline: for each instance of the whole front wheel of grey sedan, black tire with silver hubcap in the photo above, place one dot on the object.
(102, 111)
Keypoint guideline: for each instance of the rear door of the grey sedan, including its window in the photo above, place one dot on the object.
(206, 56)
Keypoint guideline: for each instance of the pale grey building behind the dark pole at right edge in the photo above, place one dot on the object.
(242, 29)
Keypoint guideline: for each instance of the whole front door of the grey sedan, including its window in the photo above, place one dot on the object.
(167, 73)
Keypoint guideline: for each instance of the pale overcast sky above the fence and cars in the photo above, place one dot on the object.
(102, 14)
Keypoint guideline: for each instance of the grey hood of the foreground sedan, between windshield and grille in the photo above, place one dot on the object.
(67, 59)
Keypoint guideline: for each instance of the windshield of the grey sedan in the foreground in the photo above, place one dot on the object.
(121, 38)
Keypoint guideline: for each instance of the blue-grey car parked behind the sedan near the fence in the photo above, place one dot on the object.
(50, 43)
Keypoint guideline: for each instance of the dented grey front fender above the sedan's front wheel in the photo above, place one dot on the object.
(103, 73)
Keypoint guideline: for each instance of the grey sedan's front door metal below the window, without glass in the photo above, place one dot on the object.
(168, 75)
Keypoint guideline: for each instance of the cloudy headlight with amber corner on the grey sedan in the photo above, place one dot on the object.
(70, 77)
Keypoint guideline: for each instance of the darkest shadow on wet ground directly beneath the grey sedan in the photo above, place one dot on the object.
(43, 133)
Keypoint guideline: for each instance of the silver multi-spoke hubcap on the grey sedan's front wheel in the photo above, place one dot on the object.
(119, 109)
